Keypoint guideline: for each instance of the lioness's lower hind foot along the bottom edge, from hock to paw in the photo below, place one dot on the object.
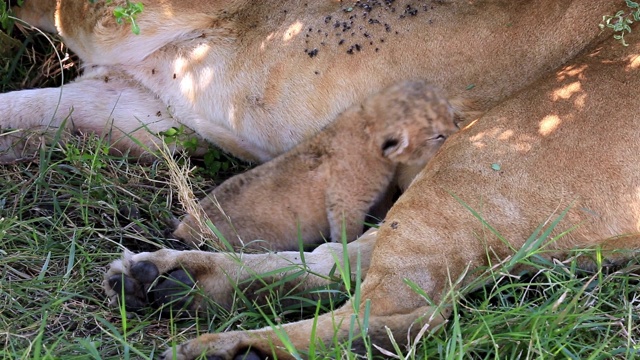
(264, 343)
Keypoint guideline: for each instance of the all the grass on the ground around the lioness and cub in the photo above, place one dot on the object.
(64, 217)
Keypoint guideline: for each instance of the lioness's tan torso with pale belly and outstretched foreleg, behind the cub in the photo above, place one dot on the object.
(244, 74)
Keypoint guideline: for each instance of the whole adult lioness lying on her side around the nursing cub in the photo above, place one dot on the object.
(256, 78)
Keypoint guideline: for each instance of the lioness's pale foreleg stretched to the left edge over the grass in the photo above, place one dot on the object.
(113, 107)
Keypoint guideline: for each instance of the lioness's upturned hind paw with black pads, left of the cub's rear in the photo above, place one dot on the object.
(138, 284)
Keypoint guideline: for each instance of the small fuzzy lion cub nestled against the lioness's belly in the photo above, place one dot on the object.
(329, 182)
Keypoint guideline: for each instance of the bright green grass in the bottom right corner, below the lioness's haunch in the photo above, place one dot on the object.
(550, 311)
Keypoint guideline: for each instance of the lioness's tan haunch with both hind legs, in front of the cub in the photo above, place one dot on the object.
(568, 142)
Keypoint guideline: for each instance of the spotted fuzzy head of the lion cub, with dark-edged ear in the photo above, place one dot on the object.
(408, 122)
